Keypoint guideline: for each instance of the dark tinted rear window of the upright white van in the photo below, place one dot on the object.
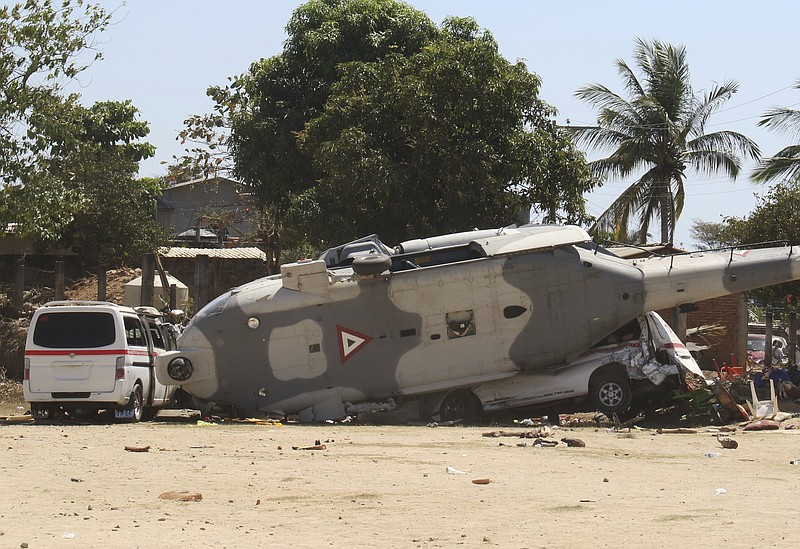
(74, 330)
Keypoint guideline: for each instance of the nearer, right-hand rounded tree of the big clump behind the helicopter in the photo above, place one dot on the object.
(435, 142)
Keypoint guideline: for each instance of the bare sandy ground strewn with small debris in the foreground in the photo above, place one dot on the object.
(76, 485)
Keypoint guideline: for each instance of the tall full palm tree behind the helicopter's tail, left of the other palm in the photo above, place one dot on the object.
(660, 130)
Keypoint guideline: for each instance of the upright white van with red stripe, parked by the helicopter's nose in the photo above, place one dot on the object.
(85, 356)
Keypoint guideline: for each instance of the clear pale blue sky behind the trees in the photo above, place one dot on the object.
(164, 54)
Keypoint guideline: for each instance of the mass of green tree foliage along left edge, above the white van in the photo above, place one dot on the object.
(67, 171)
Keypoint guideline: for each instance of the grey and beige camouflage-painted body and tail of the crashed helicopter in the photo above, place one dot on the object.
(570, 297)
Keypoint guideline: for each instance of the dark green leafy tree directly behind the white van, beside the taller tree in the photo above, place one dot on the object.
(113, 221)
